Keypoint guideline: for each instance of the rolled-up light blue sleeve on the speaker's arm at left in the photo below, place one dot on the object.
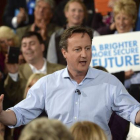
(31, 107)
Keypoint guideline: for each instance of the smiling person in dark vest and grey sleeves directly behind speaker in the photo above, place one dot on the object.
(75, 13)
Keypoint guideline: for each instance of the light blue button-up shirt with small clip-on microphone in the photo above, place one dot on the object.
(101, 93)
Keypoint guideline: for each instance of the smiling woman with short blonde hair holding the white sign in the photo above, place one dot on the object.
(124, 23)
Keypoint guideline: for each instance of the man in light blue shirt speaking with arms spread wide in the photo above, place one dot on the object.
(77, 92)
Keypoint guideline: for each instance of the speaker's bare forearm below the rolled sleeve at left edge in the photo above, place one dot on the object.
(8, 118)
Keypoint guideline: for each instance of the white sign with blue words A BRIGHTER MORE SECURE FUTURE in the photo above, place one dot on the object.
(117, 52)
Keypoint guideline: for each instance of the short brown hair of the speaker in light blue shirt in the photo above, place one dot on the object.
(68, 32)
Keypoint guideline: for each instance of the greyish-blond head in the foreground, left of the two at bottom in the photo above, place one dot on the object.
(45, 129)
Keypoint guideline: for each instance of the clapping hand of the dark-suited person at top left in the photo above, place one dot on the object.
(22, 16)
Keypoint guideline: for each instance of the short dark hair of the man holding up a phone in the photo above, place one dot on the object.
(31, 33)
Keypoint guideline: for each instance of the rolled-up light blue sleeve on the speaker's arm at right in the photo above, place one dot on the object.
(123, 103)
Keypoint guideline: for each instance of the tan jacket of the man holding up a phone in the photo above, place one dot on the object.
(15, 90)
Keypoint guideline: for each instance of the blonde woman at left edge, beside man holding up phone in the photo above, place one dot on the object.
(7, 38)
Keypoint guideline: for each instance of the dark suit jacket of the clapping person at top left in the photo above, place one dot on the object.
(9, 12)
